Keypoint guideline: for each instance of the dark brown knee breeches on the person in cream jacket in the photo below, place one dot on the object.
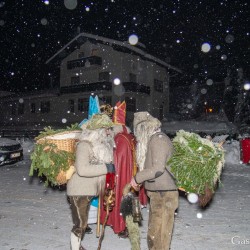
(80, 210)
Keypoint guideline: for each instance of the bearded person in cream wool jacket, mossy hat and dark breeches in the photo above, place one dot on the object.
(94, 157)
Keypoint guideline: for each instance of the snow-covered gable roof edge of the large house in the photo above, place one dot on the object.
(119, 43)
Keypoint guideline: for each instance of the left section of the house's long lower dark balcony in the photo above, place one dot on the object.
(95, 86)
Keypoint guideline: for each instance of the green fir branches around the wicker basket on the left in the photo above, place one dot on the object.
(48, 160)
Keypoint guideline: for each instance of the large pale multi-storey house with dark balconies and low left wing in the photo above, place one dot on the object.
(94, 65)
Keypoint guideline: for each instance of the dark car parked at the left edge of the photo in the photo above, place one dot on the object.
(11, 151)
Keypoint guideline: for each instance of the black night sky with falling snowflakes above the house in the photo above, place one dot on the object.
(32, 31)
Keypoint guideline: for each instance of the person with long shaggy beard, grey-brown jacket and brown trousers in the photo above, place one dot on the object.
(154, 148)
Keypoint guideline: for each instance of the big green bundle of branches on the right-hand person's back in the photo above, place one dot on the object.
(196, 163)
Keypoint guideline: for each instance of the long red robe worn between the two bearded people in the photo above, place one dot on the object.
(125, 164)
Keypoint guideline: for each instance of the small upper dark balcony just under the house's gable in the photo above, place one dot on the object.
(85, 62)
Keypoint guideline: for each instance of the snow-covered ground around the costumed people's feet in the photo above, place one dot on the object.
(33, 217)
